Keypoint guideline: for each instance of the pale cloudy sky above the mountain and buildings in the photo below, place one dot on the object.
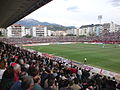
(78, 12)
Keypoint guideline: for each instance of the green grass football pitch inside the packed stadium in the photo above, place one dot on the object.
(102, 56)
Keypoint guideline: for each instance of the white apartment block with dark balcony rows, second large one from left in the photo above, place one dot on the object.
(39, 31)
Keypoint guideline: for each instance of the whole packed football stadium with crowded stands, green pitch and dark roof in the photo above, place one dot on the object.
(58, 62)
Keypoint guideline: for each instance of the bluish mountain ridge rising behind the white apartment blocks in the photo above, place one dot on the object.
(51, 26)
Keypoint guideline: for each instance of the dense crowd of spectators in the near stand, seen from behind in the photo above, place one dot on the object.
(21, 69)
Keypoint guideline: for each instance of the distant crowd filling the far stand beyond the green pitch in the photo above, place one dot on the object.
(113, 38)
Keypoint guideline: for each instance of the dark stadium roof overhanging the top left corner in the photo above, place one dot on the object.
(13, 10)
